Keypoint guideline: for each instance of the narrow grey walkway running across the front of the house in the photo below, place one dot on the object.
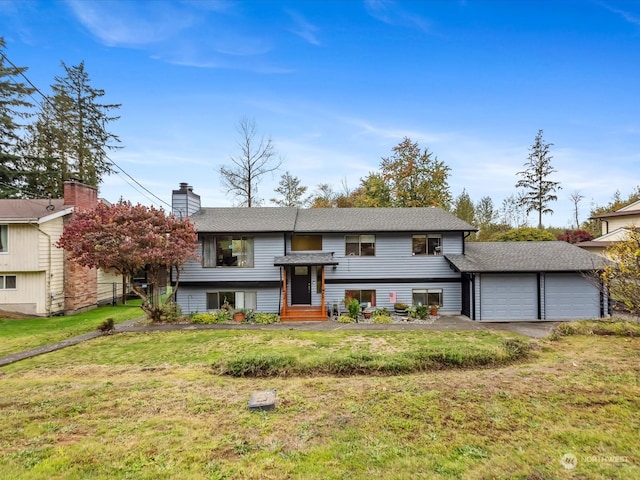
(443, 323)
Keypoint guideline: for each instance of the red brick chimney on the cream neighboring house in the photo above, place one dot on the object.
(80, 283)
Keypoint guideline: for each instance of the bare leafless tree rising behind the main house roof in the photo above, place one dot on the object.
(255, 159)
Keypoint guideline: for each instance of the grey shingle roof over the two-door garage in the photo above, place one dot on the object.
(524, 257)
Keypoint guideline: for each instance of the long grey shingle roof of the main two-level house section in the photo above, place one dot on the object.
(317, 220)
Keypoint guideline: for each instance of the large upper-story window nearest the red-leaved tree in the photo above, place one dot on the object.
(227, 251)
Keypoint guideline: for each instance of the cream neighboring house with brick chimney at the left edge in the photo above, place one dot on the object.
(35, 277)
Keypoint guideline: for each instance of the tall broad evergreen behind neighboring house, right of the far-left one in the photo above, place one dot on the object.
(70, 136)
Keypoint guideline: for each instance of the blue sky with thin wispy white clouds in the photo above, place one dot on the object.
(337, 84)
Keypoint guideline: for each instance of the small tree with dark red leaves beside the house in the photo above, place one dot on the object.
(128, 238)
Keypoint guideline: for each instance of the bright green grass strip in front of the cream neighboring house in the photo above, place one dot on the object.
(22, 334)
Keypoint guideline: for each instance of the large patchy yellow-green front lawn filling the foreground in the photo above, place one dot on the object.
(151, 406)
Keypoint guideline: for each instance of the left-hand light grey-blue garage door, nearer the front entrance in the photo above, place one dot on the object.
(508, 297)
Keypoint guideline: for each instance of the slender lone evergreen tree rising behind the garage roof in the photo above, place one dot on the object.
(538, 189)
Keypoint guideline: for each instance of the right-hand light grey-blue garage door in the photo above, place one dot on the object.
(570, 295)
